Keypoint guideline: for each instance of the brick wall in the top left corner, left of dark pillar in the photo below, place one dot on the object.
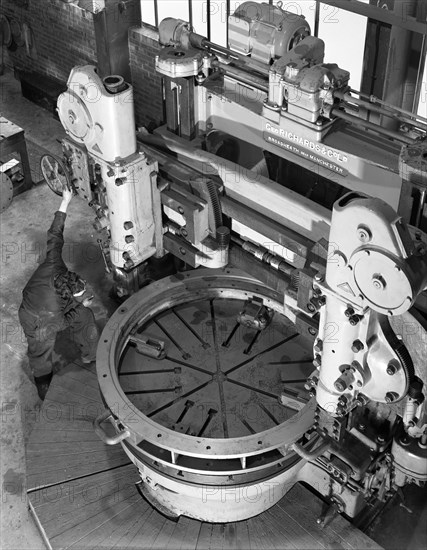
(63, 37)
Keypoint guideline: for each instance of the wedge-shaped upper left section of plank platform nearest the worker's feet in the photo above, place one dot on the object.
(63, 445)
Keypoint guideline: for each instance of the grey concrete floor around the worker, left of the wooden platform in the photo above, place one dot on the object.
(23, 238)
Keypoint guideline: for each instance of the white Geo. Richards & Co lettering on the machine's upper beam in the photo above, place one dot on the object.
(316, 152)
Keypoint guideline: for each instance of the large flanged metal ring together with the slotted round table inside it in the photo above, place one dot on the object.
(206, 411)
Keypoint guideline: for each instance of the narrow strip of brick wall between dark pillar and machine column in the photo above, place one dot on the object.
(147, 83)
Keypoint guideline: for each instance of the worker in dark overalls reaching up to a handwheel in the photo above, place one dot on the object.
(54, 299)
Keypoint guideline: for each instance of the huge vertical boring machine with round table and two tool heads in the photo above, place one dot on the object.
(285, 345)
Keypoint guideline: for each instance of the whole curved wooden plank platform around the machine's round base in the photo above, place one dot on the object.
(83, 492)
